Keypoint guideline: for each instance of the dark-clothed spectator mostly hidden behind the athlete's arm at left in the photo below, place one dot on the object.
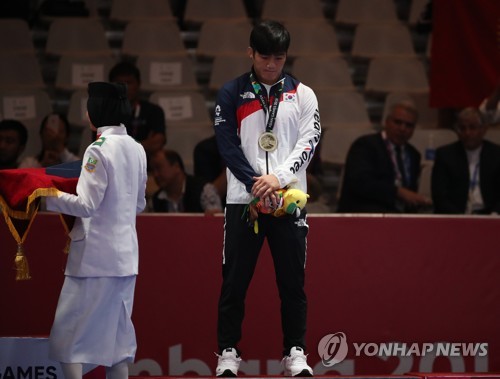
(208, 165)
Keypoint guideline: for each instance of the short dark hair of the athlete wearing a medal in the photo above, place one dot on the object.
(270, 37)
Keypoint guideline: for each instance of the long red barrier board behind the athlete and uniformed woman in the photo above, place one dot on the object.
(410, 294)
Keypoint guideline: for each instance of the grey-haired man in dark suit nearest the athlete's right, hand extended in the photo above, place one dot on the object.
(382, 170)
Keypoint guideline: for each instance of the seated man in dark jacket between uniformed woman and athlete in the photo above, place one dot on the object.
(178, 191)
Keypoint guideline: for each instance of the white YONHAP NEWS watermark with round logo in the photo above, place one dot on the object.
(333, 348)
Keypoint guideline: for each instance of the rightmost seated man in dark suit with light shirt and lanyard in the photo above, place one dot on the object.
(466, 173)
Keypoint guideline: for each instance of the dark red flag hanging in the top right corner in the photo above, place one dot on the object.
(465, 52)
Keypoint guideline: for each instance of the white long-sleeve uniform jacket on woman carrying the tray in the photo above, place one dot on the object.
(110, 192)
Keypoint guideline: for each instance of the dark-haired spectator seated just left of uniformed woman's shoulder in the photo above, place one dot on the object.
(54, 132)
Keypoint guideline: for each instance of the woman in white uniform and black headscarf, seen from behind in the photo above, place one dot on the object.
(93, 324)
